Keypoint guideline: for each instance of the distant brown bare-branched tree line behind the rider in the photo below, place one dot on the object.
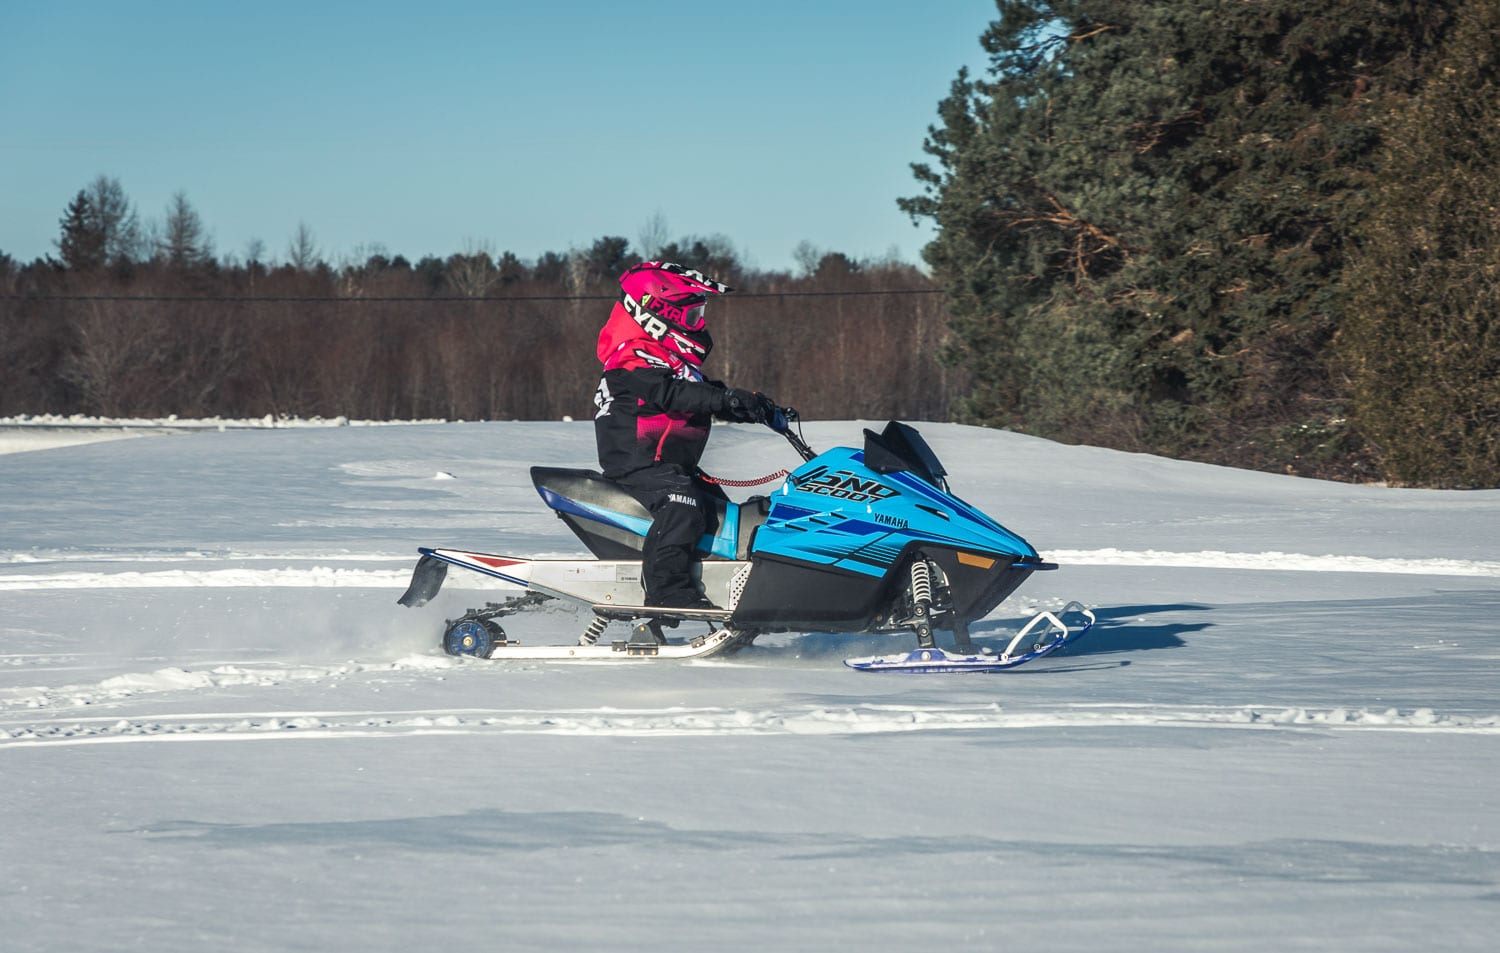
(143, 320)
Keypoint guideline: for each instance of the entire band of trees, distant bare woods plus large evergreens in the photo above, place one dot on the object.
(1252, 233)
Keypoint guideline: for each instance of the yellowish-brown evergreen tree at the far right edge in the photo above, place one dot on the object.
(1423, 337)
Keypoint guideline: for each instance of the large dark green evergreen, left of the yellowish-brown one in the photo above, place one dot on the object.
(1144, 211)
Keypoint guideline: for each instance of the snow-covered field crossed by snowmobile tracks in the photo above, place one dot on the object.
(218, 730)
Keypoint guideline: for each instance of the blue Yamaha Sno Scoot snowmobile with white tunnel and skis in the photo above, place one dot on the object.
(860, 541)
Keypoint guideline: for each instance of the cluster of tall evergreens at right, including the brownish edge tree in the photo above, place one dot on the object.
(1261, 233)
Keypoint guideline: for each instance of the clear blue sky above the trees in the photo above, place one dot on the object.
(520, 127)
